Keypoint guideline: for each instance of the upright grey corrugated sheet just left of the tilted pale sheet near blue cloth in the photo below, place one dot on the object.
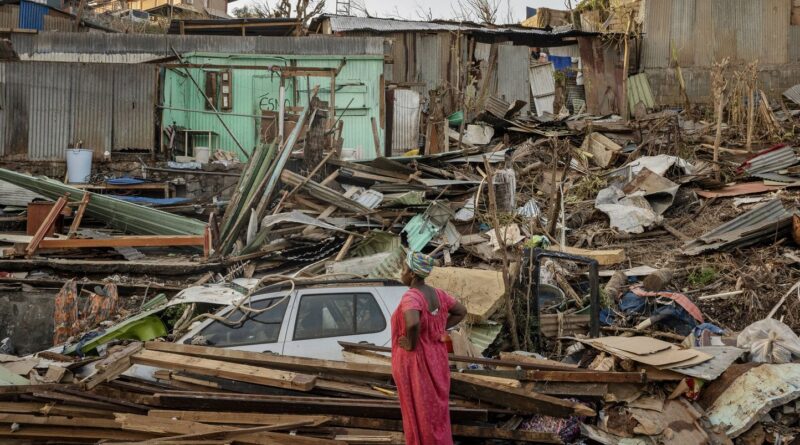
(513, 80)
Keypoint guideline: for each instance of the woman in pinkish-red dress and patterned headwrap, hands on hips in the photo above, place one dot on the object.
(420, 365)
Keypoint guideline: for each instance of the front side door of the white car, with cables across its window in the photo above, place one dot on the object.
(258, 327)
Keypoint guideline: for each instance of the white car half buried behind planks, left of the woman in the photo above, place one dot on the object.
(309, 321)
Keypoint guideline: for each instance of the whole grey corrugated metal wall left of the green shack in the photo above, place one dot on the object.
(47, 106)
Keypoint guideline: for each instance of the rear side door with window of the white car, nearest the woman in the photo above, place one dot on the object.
(321, 318)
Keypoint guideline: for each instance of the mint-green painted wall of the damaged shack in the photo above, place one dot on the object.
(257, 90)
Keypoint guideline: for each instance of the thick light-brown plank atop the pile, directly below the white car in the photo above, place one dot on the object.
(216, 368)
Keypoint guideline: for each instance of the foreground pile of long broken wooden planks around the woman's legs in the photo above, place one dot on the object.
(204, 395)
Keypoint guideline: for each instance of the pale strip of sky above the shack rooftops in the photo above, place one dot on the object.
(510, 11)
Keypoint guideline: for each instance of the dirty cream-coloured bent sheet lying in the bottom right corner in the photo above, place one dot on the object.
(754, 394)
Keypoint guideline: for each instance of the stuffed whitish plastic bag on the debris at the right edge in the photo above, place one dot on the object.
(769, 341)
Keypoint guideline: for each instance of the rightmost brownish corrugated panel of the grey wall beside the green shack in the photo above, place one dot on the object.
(134, 106)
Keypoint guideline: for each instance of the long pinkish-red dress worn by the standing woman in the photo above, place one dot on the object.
(422, 376)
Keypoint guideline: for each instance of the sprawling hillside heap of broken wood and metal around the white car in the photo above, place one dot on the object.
(665, 311)
